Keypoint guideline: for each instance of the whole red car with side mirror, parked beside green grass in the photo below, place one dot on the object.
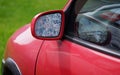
(71, 41)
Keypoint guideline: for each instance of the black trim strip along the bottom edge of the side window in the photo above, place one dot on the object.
(93, 46)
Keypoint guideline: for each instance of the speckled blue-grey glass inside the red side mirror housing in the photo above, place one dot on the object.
(48, 25)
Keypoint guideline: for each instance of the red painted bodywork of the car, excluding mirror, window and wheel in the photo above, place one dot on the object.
(33, 56)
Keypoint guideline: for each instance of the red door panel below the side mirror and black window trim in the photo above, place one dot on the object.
(67, 58)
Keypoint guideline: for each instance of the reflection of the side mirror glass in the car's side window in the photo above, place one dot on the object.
(92, 30)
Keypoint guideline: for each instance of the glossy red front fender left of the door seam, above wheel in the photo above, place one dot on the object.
(23, 48)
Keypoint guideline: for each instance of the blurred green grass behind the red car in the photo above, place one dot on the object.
(17, 13)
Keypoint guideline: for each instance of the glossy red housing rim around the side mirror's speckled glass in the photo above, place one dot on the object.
(45, 13)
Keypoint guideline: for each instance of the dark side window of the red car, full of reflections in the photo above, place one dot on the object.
(98, 22)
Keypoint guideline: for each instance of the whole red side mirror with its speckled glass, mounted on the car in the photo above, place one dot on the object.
(48, 25)
